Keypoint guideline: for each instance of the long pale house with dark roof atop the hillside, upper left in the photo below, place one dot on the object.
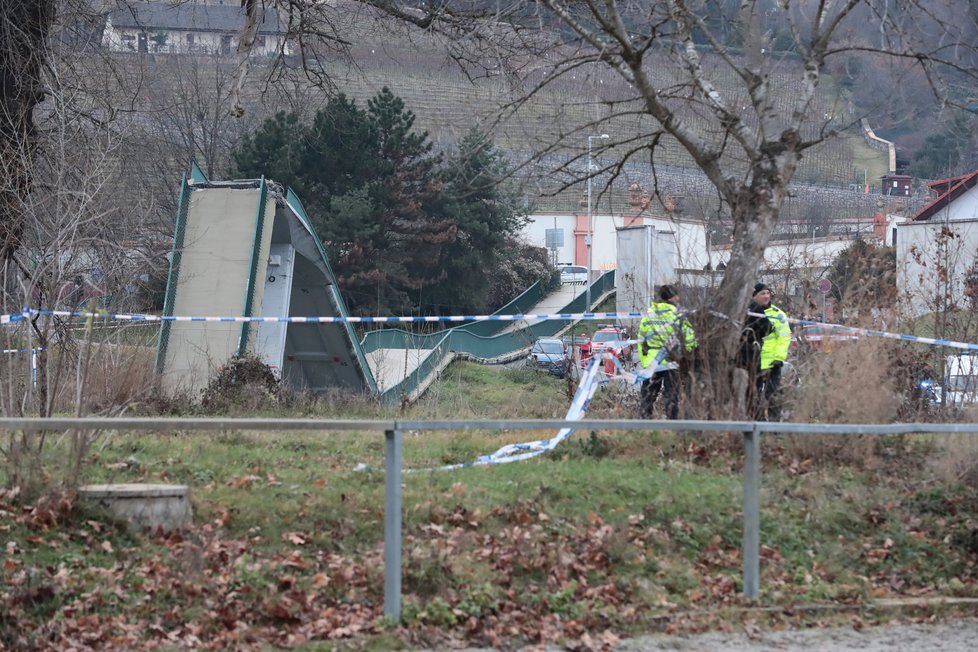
(172, 27)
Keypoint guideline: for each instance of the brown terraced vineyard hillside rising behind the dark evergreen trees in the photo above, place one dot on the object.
(540, 135)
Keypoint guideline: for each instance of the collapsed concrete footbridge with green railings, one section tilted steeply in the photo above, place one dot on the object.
(248, 275)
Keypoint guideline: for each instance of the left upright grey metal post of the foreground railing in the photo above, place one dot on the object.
(392, 524)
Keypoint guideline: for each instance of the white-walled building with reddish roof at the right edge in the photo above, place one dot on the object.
(937, 248)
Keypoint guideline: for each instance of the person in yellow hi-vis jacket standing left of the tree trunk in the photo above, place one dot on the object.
(663, 336)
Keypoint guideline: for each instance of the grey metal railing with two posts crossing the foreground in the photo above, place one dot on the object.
(393, 456)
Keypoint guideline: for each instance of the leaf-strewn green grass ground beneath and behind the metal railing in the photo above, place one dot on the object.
(627, 531)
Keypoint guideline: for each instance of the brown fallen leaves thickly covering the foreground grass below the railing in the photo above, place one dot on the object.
(545, 580)
